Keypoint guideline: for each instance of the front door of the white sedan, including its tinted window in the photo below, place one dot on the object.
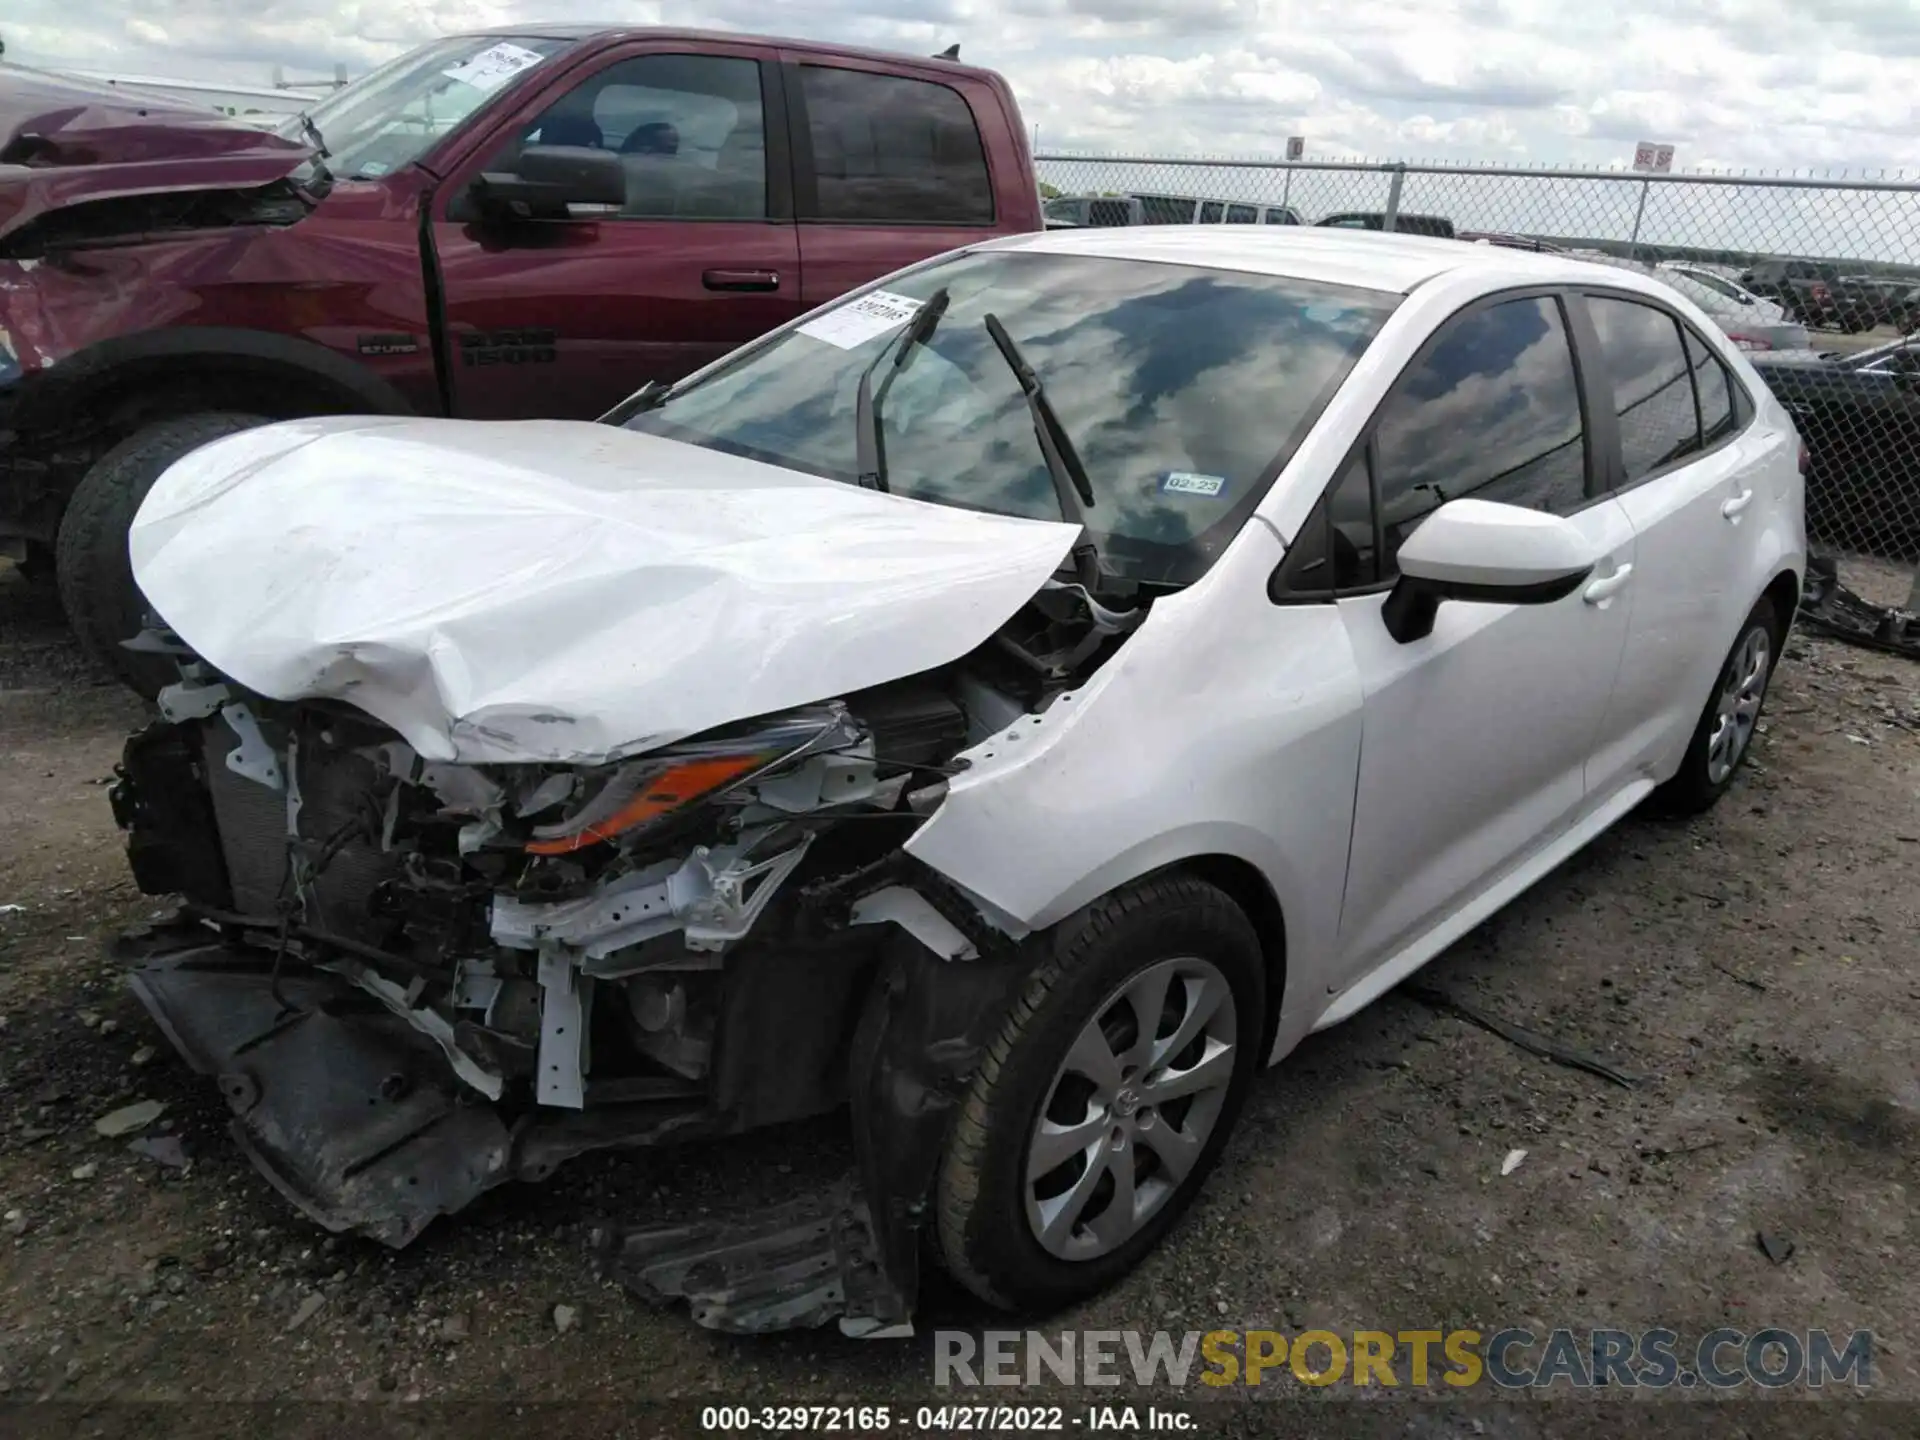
(1476, 738)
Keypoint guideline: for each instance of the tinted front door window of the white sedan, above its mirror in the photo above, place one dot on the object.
(1493, 412)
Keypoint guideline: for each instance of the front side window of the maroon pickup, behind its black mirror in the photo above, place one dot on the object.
(688, 130)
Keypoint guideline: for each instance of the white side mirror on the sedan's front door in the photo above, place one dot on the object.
(1474, 550)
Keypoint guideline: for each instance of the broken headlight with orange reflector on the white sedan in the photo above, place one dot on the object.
(635, 796)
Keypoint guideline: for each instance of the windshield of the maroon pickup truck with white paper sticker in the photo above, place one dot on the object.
(391, 116)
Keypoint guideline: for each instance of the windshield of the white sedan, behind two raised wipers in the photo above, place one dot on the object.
(1184, 391)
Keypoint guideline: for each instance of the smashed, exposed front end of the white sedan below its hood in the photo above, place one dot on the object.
(416, 980)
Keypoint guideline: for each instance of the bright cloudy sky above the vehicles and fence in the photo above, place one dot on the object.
(1733, 84)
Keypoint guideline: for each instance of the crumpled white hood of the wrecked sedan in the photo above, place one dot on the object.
(560, 590)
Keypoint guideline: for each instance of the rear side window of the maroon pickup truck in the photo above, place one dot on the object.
(894, 151)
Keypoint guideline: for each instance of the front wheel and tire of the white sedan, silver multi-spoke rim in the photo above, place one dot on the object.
(1099, 974)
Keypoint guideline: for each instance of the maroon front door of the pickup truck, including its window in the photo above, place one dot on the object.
(567, 318)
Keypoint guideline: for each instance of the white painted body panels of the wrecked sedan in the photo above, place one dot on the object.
(1389, 796)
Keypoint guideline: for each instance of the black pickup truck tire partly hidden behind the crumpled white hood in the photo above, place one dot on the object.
(91, 564)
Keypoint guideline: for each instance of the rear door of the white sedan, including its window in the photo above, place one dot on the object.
(1687, 477)
